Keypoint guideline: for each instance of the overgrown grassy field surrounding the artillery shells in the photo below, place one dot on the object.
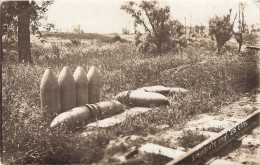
(213, 80)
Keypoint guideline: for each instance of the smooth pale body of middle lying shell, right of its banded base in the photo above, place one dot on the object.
(141, 98)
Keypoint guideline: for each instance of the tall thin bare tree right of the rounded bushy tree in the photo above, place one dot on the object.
(241, 26)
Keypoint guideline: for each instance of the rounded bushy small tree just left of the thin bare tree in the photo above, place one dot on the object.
(221, 28)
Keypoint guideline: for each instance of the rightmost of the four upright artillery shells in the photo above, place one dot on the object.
(93, 85)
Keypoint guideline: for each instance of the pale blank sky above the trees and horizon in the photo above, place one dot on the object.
(105, 16)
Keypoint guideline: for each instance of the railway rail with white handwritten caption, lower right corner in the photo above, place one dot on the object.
(213, 144)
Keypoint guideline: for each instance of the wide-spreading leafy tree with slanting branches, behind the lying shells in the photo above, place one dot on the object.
(155, 20)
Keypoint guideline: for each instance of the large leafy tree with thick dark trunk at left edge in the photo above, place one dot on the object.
(19, 18)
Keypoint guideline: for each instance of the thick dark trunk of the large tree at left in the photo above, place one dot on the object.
(24, 31)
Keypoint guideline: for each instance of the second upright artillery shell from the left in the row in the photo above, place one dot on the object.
(67, 89)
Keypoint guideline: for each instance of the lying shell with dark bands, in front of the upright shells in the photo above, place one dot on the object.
(87, 112)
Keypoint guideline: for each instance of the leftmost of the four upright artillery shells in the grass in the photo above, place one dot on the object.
(50, 93)
